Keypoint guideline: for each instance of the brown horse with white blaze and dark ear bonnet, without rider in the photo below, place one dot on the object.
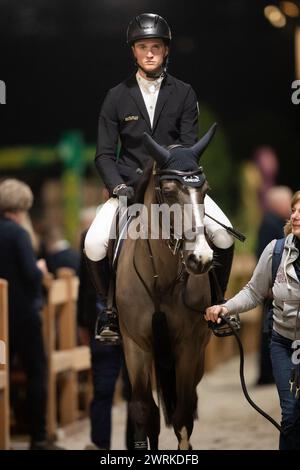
(162, 286)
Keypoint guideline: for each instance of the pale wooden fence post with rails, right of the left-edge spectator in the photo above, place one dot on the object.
(65, 358)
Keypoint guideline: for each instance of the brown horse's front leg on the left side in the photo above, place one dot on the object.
(143, 411)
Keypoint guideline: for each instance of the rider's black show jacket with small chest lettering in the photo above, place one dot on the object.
(124, 118)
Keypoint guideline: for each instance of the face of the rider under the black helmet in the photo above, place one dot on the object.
(149, 54)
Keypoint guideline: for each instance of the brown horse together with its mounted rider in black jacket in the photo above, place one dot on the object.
(161, 286)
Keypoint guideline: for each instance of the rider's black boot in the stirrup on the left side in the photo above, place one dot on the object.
(107, 328)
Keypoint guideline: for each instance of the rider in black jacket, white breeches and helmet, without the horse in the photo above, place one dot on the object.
(152, 101)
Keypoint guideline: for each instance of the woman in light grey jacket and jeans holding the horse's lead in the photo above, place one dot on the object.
(285, 338)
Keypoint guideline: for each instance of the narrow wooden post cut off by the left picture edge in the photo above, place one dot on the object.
(4, 367)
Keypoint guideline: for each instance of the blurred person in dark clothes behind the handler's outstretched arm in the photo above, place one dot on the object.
(278, 210)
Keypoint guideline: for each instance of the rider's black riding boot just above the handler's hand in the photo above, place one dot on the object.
(223, 262)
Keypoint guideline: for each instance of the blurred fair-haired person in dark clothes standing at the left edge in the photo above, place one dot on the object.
(18, 265)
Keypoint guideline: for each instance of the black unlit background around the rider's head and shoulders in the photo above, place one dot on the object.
(59, 58)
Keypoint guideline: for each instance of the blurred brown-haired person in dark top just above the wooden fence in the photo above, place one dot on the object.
(58, 252)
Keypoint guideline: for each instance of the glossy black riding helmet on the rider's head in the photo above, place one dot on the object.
(148, 25)
